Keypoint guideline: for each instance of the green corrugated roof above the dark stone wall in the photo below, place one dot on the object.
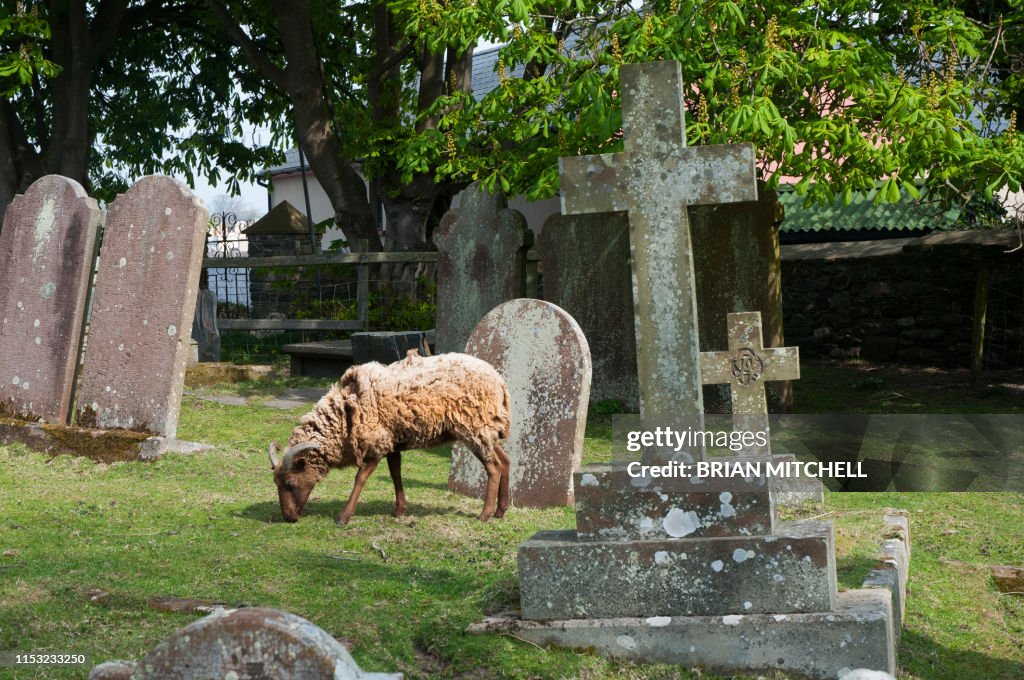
(863, 215)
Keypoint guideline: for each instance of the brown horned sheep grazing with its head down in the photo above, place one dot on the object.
(379, 411)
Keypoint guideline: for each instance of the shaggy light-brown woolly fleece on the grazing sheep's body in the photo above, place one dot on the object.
(416, 403)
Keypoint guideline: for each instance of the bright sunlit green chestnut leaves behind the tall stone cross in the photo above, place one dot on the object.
(842, 95)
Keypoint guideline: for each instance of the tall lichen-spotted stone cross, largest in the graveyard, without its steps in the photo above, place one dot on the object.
(655, 180)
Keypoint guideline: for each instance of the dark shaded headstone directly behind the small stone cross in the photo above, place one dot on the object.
(739, 269)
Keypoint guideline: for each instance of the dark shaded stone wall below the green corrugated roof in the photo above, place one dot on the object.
(908, 301)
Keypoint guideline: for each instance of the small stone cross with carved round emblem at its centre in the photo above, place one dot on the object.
(746, 368)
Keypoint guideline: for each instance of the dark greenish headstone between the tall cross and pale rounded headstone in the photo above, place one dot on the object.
(586, 261)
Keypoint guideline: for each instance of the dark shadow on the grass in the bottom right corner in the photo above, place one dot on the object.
(925, 658)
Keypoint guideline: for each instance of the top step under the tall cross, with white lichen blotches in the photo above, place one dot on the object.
(613, 505)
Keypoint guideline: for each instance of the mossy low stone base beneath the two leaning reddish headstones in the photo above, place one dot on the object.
(99, 445)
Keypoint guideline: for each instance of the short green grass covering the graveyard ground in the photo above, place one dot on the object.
(208, 527)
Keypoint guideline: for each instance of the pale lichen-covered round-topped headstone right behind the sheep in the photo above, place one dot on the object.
(543, 356)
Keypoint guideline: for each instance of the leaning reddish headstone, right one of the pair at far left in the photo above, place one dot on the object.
(143, 310)
